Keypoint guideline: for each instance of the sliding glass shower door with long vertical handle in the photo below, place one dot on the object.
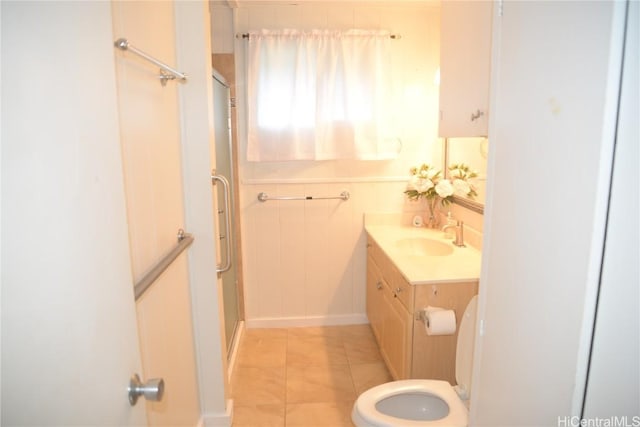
(224, 167)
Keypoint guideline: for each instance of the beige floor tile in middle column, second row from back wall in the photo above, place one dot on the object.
(315, 351)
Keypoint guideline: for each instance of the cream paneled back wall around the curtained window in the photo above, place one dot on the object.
(305, 261)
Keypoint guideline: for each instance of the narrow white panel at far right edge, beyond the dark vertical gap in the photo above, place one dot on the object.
(613, 383)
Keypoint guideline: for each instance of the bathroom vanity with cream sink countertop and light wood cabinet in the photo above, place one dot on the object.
(408, 269)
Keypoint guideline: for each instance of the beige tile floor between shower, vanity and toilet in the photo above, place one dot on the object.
(304, 376)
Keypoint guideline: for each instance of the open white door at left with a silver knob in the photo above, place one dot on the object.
(69, 336)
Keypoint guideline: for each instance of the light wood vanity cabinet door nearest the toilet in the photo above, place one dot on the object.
(396, 336)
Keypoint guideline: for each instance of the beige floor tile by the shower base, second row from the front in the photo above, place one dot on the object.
(253, 386)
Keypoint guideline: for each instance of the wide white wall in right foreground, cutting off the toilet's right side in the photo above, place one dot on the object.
(555, 76)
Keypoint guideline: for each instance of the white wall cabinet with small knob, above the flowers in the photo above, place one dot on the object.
(465, 64)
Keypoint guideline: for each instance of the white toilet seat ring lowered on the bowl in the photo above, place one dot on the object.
(366, 413)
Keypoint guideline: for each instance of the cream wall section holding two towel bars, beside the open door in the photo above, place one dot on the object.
(151, 141)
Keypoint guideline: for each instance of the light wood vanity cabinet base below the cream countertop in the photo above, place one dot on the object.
(393, 309)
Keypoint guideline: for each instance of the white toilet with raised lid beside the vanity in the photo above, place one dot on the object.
(420, 403)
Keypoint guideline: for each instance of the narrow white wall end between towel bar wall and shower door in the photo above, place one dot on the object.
(196, 105)
